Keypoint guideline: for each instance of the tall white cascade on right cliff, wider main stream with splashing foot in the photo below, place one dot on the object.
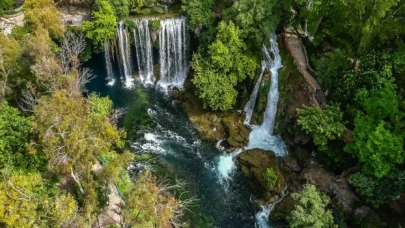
(261, 136)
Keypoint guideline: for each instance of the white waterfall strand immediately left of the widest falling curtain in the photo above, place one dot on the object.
(143, 45)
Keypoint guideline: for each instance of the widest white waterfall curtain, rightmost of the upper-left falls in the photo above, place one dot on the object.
(173, 52)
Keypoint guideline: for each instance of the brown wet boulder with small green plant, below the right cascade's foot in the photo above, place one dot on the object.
(254, 164)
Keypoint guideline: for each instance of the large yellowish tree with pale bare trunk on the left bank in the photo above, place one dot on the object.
(72, 133)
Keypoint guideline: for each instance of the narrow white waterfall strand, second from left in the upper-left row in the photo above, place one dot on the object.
(125, 54)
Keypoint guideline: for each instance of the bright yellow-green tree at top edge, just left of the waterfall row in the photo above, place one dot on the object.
(103, 26)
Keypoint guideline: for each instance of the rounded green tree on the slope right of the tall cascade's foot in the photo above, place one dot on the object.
(323, 125)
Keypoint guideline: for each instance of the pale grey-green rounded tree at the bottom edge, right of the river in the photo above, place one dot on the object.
(310, 209)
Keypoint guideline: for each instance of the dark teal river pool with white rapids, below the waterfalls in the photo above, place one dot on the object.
(179, 150)
